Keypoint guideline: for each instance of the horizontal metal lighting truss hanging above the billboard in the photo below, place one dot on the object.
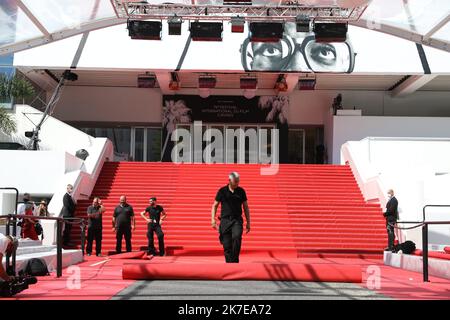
(143, 10)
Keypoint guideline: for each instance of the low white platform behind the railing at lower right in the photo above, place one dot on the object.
(436, 267)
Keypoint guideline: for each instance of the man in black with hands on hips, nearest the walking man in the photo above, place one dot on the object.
(156, 216)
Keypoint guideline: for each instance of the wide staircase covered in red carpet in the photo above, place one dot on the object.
(310, 209)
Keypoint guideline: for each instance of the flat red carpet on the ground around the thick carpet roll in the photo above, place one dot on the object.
(101, 278)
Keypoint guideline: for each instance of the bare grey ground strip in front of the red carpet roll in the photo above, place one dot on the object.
(242, 290)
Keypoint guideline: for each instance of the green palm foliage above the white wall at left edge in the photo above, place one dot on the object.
(18, 88)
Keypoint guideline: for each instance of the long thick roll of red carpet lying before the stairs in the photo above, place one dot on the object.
(243, 271)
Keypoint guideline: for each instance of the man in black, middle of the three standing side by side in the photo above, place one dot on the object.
(123, 223)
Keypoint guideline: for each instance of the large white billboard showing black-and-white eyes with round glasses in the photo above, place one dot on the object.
(364, 51)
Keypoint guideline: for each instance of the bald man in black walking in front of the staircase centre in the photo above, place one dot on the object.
(232, 198)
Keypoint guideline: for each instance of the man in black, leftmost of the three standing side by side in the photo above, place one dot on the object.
(95, 212)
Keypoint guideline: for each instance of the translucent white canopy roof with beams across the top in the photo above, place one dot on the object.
(27, 23)
